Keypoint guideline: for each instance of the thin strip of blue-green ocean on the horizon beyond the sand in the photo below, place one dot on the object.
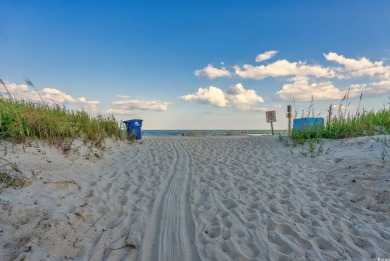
(154, 133)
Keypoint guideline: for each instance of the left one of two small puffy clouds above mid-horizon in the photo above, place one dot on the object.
(212, 95)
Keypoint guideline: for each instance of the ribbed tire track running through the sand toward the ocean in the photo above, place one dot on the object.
(170, 234)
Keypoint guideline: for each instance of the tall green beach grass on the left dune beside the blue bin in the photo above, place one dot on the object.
(22, 121)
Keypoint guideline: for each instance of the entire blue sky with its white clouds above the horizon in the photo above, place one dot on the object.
(197, 64)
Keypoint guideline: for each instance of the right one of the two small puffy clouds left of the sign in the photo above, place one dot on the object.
(242, 98)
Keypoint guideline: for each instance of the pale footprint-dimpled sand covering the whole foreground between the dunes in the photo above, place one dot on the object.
(199, 198)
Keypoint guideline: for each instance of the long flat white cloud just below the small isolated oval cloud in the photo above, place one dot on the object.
(283, 68)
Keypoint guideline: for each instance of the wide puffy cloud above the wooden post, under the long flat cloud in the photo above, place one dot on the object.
(301, 90)
